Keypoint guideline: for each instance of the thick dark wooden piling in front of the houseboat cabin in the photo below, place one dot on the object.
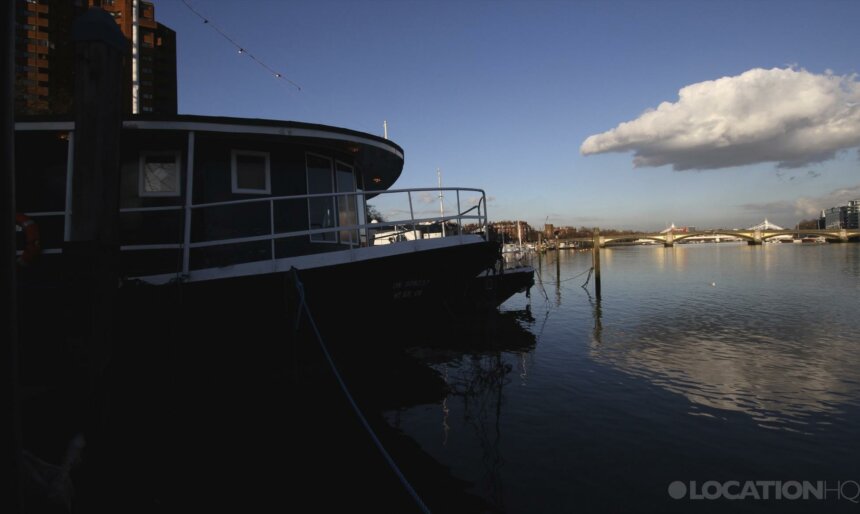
(91, 257)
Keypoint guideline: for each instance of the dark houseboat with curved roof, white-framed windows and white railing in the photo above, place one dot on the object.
(235, 210)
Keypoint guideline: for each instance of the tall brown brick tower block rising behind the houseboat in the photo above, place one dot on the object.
(44, 56)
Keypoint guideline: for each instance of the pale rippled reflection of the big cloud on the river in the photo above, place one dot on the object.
(779, 388)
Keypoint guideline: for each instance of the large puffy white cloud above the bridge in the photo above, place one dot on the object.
(784, 115)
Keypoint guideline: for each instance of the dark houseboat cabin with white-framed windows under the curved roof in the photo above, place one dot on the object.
(201, 196)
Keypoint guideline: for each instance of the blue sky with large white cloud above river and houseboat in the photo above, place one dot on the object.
(614, 114)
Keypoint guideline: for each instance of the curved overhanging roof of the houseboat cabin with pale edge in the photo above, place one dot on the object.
(378, 159)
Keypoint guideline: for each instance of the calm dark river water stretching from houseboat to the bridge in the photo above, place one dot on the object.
(702, 371)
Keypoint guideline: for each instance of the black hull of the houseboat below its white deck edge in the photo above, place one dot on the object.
(408, 285)
